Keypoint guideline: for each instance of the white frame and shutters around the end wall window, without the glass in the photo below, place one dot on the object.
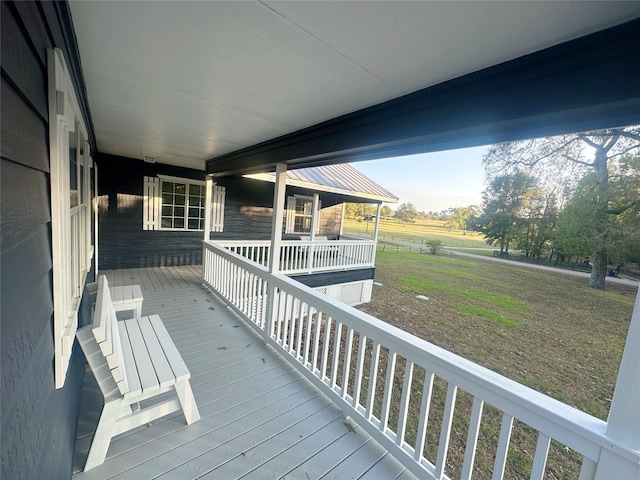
(152, 205)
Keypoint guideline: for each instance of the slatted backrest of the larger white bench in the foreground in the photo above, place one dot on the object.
(107, 334)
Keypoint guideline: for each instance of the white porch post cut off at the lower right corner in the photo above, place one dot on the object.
(623, 424)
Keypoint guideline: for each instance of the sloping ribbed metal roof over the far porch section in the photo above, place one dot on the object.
(342, 179)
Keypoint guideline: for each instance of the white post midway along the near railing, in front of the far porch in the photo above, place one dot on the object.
(279, 191)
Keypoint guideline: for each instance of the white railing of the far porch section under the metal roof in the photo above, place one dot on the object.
(303, 256)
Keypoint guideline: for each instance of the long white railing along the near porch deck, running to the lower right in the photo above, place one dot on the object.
(404, 391)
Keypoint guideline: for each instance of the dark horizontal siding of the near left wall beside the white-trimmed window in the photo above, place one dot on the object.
(38, 421)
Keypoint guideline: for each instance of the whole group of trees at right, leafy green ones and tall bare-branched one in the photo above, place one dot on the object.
(572, 196)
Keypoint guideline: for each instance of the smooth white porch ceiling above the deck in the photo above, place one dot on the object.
(188, 81)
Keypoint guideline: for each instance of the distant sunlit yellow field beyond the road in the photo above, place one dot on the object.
(416, 232)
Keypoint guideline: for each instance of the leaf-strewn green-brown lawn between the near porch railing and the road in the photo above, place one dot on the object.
(545, 330)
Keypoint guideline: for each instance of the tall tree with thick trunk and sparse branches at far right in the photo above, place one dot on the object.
(567, 159)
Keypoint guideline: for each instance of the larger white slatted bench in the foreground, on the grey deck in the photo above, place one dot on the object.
(133, 361)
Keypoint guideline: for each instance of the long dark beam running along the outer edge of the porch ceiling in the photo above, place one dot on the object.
(589, 83)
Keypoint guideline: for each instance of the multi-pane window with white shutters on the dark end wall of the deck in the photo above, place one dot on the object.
(179, 204)
